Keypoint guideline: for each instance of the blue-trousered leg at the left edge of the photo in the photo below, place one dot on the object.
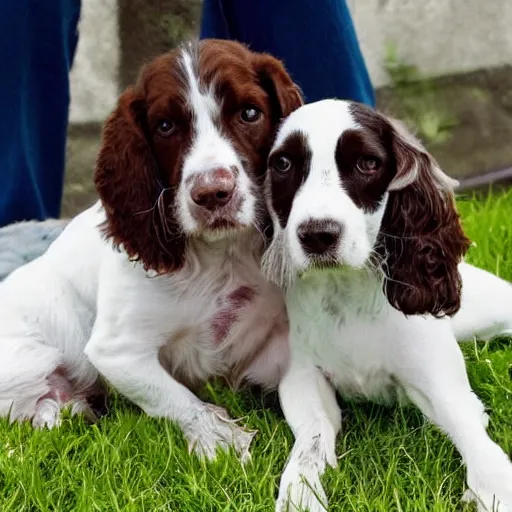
(37, 44)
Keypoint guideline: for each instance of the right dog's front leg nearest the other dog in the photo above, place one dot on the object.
(310, 407)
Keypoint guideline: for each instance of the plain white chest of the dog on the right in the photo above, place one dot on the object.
(343, 334)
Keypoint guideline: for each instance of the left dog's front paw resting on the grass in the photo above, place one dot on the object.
(215, 429)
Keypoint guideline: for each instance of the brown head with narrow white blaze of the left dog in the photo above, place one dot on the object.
(185, 151)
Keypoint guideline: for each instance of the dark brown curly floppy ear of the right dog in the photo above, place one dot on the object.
(421, 240)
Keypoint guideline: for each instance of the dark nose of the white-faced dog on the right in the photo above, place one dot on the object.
(320, 237)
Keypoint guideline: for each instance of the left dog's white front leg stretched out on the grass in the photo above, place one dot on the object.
(133, 368)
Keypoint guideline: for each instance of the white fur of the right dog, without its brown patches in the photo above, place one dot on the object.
(345, 335)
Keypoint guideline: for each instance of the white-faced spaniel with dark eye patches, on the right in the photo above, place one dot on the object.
(367, 243)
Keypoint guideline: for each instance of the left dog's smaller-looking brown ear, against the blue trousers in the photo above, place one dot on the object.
(285, 95)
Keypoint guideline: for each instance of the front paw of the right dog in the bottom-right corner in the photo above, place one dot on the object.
(490, 484)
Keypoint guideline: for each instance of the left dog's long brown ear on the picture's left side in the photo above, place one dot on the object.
(130, 188)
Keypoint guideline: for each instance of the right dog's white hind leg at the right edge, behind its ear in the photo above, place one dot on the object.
(486, 307)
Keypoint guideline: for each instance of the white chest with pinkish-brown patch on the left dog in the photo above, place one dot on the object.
(231, 324)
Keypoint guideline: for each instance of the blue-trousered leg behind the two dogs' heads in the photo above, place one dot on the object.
(316, 41)
